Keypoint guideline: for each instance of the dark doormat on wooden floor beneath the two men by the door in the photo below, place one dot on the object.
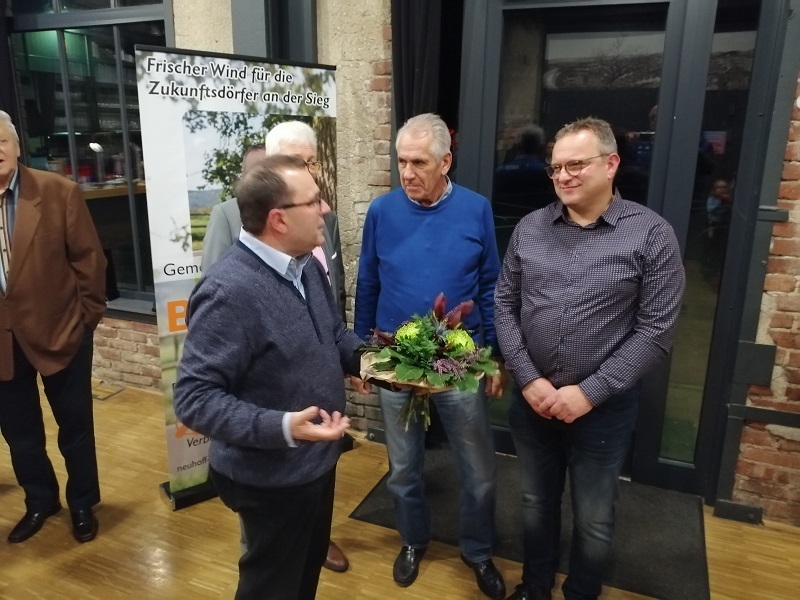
(659, 544)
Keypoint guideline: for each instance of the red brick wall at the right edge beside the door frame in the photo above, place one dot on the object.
(768, 471)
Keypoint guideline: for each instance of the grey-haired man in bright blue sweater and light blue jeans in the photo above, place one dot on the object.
(433, 236)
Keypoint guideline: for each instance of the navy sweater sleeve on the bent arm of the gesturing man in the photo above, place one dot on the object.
(217, 353)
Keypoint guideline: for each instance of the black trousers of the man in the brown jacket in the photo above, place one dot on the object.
(69, 393)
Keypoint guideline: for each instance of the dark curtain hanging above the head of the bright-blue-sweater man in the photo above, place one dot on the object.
(416, 52)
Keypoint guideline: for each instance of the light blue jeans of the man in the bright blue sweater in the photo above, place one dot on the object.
(465, 416)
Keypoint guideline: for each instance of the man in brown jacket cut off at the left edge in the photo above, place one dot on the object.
(52, 277)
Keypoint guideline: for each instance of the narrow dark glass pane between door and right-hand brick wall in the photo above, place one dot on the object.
(718, 151)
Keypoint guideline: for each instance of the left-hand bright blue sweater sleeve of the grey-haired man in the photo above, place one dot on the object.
(368, 286)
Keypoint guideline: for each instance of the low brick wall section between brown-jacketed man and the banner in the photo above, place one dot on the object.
(126, 353)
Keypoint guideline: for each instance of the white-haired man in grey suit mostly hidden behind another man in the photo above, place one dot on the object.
(293, 138)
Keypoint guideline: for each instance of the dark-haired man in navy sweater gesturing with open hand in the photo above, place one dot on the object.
(261, 375)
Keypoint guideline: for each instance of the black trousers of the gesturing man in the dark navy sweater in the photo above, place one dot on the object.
(287, 532)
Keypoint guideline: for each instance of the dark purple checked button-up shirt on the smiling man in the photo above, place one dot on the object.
(593, 306)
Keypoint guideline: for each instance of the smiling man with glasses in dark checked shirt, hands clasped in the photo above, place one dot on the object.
(586, 304)
